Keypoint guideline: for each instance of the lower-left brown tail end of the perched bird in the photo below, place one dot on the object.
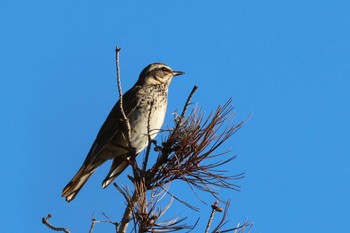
(73, 187)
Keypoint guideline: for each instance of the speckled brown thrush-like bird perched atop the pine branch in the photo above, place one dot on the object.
(144, 106)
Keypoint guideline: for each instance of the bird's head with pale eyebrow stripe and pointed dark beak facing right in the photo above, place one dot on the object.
(157, 73)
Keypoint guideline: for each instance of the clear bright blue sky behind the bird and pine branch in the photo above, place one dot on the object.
(287, 62)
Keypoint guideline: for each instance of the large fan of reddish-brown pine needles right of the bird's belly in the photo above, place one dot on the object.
(190, 152)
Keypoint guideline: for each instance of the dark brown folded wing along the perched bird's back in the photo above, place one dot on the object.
(114, 125)
